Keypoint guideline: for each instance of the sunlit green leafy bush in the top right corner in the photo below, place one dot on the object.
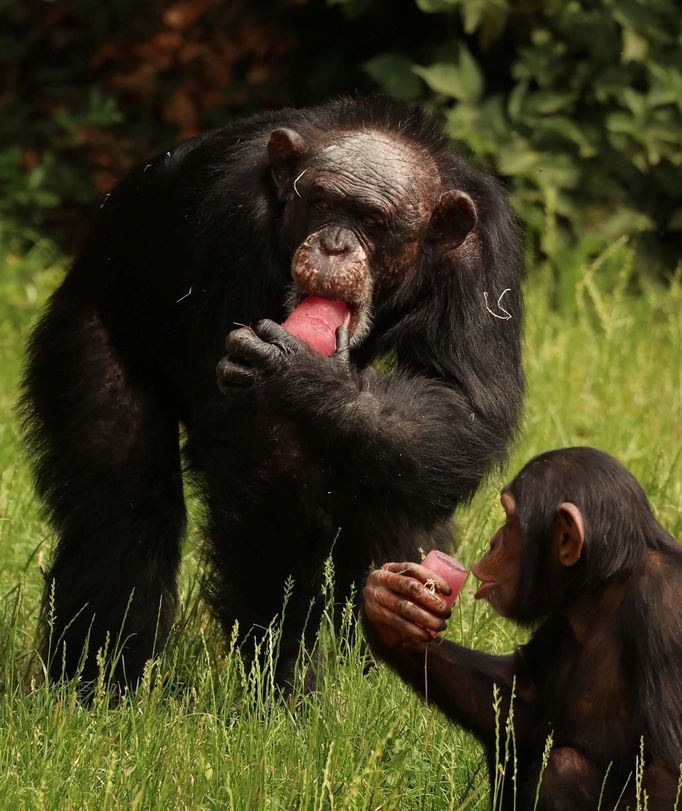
(578, 105)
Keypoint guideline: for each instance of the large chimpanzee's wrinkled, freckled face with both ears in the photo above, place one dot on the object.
(360, 207)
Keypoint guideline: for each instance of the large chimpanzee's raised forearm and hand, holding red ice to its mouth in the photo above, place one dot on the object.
(417, 438)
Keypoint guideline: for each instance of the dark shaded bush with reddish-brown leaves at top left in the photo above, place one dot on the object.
(90, 89)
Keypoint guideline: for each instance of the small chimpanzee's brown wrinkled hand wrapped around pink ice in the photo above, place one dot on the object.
(401, 608)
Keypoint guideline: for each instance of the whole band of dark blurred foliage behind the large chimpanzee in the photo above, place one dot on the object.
(577, 105)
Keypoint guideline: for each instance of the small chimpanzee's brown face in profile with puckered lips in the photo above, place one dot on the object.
(499, 570)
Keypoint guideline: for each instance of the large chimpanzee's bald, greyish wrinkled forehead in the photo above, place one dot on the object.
(384, 162)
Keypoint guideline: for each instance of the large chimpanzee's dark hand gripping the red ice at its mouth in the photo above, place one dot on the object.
(257, 352)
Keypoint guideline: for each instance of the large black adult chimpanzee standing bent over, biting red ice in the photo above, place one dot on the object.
(355, 201)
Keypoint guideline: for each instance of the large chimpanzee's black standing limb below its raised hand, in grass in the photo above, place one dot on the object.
(265, 527)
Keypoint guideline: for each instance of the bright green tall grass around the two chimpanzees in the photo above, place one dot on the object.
(604, 368)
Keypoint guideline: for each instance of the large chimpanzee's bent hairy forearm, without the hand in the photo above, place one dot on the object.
(415, 435)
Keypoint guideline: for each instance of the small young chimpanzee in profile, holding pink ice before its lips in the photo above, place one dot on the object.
(581, 551)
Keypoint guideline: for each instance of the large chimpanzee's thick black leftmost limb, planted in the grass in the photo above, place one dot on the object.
(106, 460)
